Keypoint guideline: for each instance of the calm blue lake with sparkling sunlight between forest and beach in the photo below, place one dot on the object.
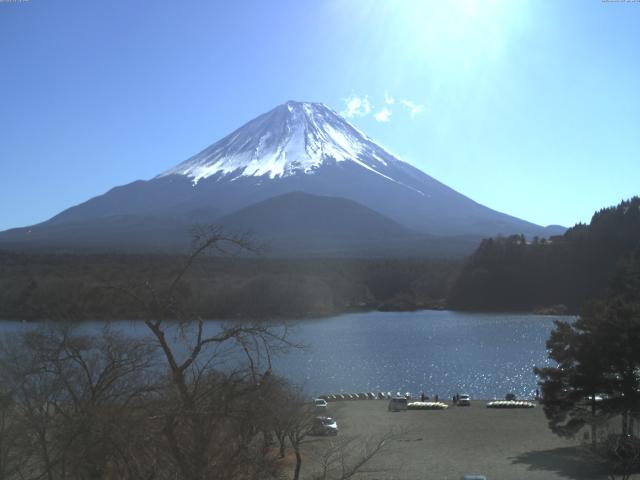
(437, 352)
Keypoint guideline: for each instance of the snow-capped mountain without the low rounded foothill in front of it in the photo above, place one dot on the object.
(297, 146)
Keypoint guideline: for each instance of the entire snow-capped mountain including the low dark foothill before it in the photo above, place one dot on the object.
(261, 177)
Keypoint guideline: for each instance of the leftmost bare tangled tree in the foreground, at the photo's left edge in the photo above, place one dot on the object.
(74, 399)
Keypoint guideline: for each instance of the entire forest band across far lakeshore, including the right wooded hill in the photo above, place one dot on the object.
(513, 273)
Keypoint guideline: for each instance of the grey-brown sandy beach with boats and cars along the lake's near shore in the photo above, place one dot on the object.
(501, 444)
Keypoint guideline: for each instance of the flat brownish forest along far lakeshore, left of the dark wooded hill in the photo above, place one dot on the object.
(89, 286)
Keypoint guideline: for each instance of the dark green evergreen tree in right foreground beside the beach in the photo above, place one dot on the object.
(598, 357)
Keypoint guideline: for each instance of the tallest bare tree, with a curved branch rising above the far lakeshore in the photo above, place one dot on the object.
(212, 372)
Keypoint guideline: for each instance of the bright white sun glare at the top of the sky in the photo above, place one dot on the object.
(447, 38)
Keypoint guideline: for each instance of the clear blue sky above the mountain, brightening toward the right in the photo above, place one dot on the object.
(531, 108)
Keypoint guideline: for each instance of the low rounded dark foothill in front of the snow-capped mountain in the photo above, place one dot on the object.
(298, 224)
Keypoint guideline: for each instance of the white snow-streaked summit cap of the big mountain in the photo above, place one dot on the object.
(293, 138)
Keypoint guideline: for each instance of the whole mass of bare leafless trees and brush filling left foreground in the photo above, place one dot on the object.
(192, 400)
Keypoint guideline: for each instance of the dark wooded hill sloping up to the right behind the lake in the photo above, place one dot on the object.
(510, 273)
